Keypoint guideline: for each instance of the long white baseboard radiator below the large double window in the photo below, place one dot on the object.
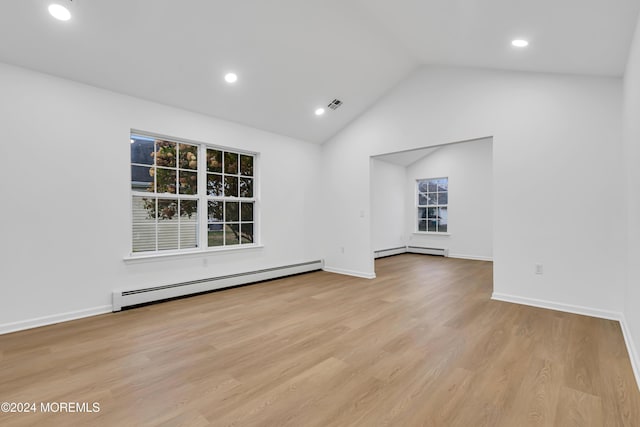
(127, 298)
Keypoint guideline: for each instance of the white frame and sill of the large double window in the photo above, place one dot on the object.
(202, 199)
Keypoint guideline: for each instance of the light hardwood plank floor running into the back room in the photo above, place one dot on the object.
(420, 345)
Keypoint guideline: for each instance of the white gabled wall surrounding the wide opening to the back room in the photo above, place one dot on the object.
(556, 157)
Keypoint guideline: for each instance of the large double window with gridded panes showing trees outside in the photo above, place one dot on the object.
(180, 188)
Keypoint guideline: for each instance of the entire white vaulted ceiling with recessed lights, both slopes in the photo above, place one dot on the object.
(295, 55)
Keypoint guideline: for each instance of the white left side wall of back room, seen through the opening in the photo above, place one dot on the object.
(387, 205)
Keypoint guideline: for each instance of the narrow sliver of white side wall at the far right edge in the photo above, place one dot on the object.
(632, 156)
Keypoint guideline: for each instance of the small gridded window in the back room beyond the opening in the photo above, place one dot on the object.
(432, 205)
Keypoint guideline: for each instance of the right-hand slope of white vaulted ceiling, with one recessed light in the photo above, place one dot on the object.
(566, 36)
